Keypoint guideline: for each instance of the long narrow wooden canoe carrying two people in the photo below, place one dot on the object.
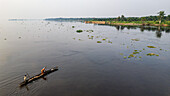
(38, 76)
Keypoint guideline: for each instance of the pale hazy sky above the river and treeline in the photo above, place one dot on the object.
(40, 9)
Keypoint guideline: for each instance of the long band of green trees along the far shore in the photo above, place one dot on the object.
(161, 17)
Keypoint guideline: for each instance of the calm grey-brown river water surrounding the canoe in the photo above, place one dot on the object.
(86, 68)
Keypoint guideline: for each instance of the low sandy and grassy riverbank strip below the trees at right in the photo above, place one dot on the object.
(118, 23)
